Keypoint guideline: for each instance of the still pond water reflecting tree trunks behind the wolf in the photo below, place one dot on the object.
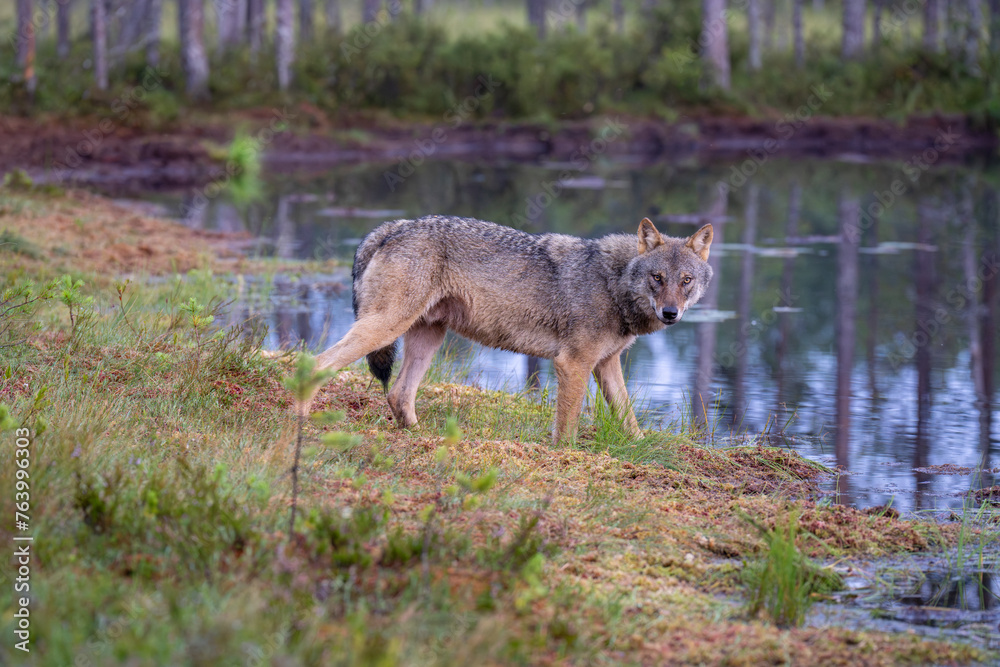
(853, 316)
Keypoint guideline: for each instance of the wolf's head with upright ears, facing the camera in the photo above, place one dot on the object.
(669, 274)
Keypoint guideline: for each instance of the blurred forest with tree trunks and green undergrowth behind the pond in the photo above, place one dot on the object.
(553, 59)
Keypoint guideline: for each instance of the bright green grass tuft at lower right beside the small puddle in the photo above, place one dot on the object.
(783, 581)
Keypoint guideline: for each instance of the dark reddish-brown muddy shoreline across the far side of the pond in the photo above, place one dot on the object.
(96, 153)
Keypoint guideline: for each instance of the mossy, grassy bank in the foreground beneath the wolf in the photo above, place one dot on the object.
(160, 488)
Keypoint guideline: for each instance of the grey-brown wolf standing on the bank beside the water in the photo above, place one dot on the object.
(579, 302)
